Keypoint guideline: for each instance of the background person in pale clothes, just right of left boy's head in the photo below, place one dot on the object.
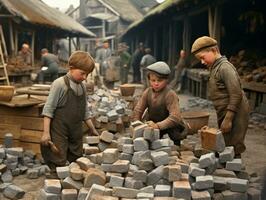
(102, 55)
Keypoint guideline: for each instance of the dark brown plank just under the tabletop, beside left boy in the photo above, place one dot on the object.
(30, 111)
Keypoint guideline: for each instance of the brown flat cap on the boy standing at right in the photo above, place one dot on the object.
(202, 43)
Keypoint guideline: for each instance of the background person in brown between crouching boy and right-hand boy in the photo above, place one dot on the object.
(179, 73)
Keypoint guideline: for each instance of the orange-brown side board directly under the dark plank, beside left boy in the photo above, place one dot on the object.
(31, 123)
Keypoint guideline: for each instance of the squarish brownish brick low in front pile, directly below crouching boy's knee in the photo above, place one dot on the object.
(172, 173)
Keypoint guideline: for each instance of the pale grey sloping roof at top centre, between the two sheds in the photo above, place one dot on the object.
(126, 9)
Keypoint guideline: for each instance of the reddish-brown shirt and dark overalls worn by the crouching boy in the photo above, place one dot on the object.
(163, 109)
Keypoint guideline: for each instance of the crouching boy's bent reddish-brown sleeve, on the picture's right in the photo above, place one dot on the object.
(174, 118)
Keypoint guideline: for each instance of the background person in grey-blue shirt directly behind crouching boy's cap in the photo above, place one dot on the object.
(146, 60)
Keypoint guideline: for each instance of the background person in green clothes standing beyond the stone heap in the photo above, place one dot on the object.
(124, 62)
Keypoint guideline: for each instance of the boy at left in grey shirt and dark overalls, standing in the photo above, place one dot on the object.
(64, 111)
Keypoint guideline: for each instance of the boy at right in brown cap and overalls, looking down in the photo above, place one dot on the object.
(225, 91)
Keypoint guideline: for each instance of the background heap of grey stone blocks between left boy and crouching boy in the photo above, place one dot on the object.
(109, 110)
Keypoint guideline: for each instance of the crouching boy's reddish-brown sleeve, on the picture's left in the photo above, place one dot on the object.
(141, 106)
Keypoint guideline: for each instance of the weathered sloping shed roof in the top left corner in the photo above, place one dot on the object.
(37, 12)
